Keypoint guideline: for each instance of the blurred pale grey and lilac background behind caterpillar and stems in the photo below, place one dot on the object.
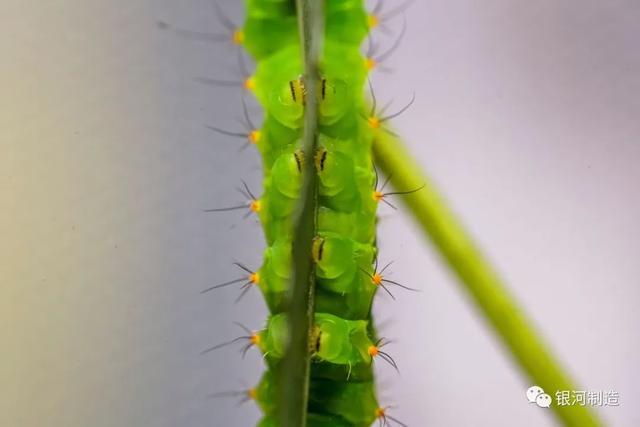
(527, 116)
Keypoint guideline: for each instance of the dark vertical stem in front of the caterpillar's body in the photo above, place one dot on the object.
(294, 370)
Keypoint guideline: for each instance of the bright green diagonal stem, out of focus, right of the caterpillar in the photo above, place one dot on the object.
(478, 278)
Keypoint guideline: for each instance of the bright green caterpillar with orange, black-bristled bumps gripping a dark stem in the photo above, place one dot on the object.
(344, 342)
